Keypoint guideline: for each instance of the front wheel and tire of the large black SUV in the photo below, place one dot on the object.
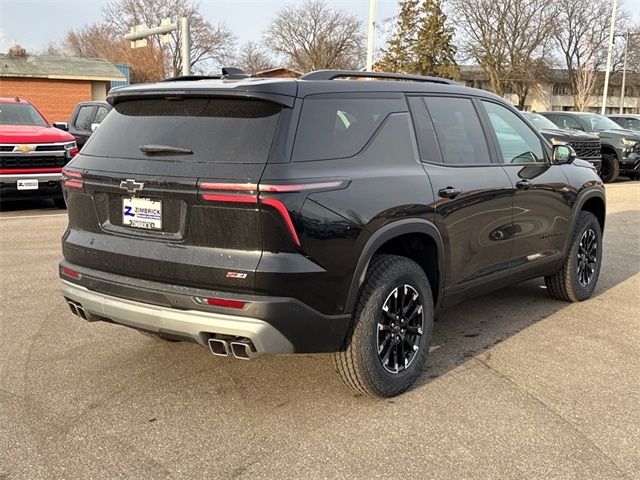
(579, 275)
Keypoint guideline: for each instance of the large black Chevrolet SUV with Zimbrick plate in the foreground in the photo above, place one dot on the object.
(319, 215)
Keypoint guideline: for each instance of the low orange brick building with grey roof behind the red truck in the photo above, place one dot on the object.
(55, 84)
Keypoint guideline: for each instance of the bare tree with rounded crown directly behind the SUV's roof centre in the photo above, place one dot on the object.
(313, 36)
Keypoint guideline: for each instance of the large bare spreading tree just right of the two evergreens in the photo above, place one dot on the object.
(508, 39)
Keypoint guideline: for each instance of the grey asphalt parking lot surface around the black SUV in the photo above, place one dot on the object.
(517, 386)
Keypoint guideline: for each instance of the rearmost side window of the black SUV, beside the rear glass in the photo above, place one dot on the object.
(331, 128)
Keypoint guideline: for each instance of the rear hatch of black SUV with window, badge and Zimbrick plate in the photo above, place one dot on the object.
(166, 190)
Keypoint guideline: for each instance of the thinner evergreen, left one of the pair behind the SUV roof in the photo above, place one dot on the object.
(398, 56)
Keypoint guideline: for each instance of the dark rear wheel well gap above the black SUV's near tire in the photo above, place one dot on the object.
(420, 248)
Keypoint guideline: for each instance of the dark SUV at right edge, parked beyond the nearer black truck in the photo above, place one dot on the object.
(620, 147)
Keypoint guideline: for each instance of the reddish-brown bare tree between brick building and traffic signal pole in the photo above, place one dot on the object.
(101, 41)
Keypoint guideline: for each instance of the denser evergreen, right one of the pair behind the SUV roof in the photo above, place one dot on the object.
(434, 50)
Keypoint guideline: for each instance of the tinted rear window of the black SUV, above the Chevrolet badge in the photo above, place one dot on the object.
(214, 129)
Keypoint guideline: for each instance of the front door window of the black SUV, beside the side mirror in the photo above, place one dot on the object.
(518, 143)
